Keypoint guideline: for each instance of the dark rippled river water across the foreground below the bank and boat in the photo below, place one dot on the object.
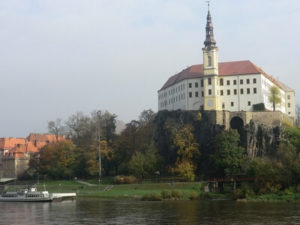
(97, 211)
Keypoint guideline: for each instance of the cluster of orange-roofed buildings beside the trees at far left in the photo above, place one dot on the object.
(17, 152)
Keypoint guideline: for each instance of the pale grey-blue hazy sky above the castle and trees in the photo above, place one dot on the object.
(59, 57)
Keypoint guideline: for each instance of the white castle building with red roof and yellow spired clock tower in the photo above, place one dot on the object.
(231, 86)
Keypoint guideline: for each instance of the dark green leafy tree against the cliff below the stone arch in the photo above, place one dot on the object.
(229, 155)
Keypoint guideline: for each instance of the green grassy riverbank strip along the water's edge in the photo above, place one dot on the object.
(152, 191)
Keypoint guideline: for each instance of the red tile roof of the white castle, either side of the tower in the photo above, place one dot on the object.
(225, 69)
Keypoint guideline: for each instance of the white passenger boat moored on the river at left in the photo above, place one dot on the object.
(26, 195)
